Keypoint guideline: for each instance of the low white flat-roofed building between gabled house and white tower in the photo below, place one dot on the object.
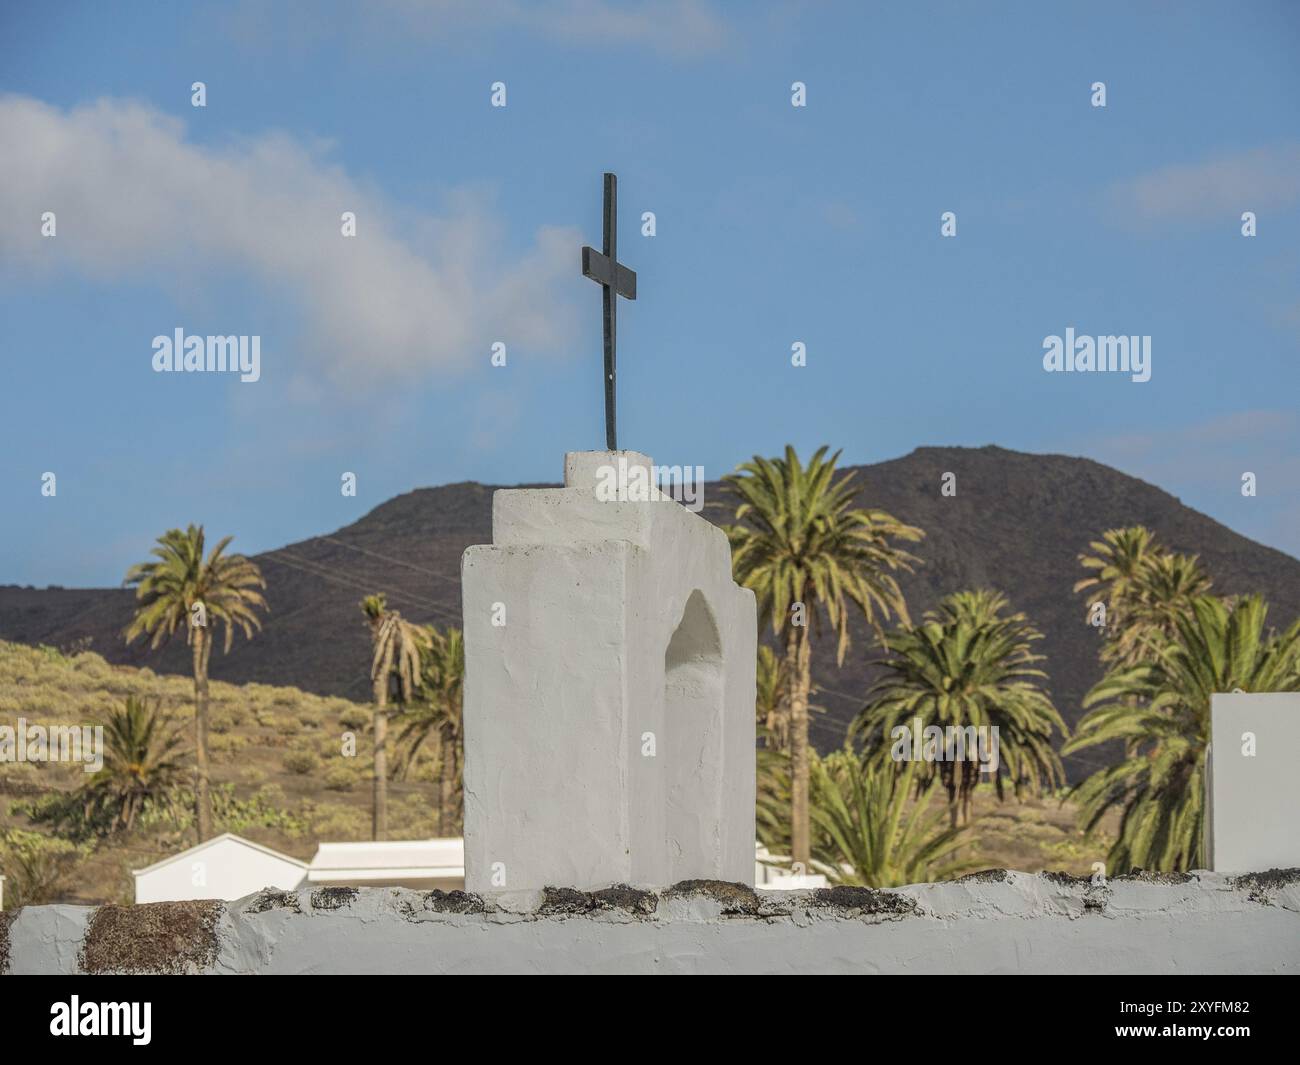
(414, 864)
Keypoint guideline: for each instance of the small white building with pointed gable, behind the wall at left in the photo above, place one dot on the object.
(227, 868)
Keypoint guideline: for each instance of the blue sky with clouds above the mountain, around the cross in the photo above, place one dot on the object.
(775, 224)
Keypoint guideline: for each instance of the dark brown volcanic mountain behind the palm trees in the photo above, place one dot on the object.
(1017, 523)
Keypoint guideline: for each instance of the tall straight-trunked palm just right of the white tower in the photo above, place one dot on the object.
(805, 549)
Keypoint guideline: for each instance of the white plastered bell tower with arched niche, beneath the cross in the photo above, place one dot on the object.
(610, 708)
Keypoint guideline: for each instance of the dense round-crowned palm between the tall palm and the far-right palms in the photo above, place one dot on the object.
(968, 665)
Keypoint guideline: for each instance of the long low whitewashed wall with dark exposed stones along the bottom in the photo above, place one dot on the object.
(987, 923)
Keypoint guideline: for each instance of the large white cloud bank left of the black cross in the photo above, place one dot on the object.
(410, 295)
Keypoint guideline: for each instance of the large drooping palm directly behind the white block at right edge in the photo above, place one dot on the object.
(1162, 711)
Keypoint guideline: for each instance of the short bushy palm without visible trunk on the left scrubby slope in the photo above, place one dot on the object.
(141, 767)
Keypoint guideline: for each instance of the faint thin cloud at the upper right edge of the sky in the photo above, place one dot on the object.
(1225, 187)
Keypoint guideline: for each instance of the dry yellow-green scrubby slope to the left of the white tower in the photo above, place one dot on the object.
(278, 767)
